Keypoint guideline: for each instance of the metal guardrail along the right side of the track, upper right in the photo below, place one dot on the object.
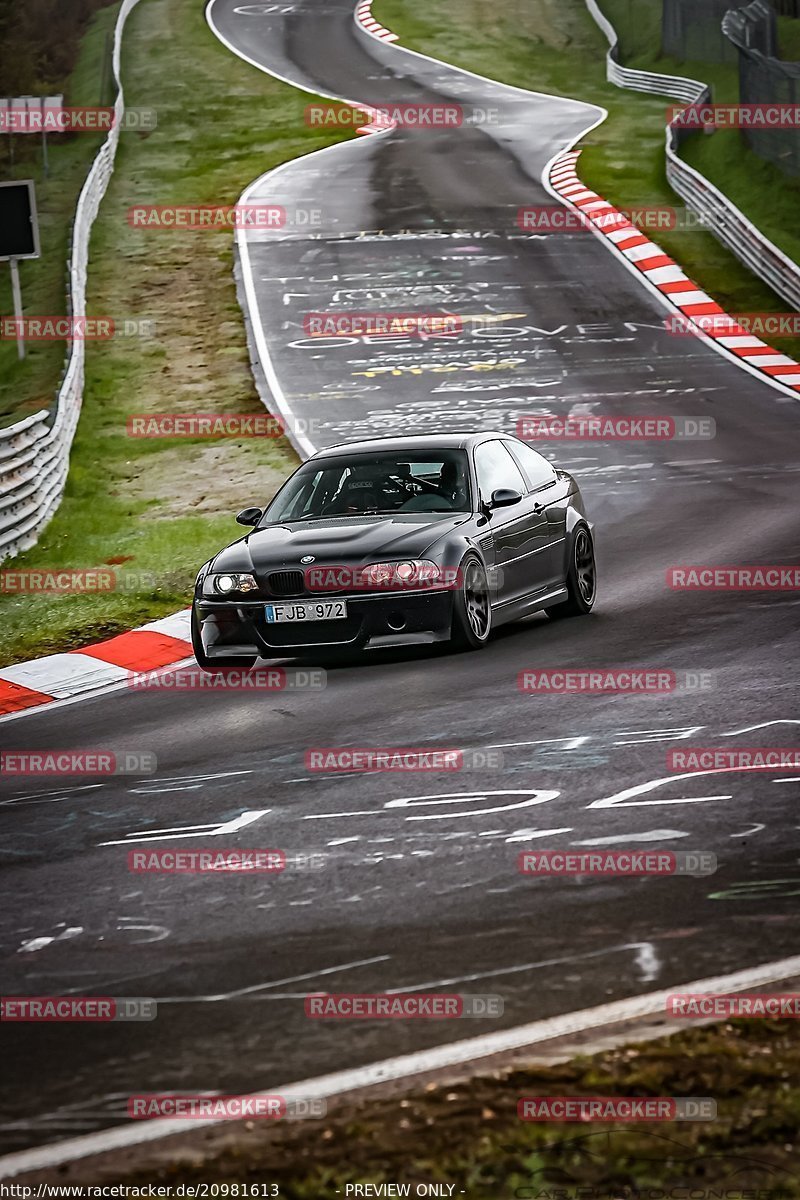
(717, 212)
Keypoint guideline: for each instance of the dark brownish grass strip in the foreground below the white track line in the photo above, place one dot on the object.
(470, 1135)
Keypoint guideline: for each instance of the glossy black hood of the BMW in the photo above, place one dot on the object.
(352, 542)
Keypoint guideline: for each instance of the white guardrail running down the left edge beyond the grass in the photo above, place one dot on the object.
(35, 452)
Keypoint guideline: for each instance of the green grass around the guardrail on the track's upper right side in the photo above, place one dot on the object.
(555, 46)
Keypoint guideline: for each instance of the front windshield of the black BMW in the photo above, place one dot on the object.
(390, 482)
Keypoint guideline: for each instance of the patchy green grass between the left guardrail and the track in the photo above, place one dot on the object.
(158, 509)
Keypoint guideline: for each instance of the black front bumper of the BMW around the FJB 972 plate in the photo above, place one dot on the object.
(233, 628)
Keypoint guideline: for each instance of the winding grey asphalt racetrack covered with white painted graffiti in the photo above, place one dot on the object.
(420, 889)
